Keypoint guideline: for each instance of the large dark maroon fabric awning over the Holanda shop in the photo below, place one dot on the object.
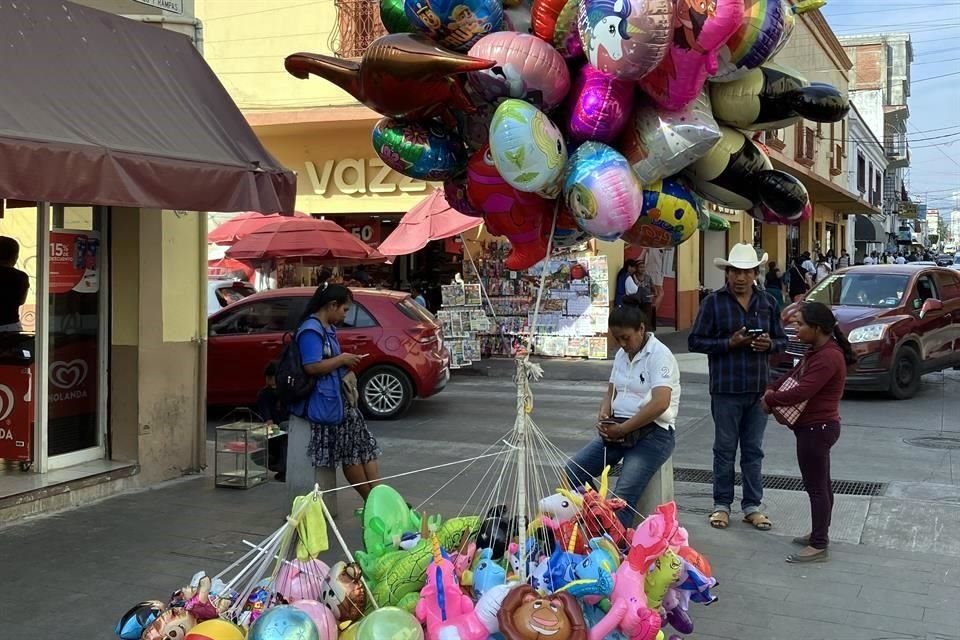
(99, 109)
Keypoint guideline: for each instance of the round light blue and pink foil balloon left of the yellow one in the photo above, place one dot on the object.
(602, 192)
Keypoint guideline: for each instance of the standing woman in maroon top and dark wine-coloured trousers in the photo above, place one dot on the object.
(814, 397)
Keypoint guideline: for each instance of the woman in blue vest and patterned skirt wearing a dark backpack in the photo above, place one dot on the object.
(326, 427)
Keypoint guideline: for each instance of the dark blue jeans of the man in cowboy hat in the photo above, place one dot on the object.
(738, 420)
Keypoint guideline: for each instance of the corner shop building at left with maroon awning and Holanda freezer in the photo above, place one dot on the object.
(102, 378)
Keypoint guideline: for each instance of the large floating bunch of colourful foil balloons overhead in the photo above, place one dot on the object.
(588, 118)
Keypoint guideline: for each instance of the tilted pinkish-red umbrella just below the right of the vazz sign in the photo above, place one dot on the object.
(432, 219)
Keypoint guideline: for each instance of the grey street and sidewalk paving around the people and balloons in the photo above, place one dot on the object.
(896, 575)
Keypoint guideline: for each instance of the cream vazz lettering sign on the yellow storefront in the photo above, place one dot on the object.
(351, 176)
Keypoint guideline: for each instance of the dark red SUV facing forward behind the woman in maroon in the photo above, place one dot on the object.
(902, 320)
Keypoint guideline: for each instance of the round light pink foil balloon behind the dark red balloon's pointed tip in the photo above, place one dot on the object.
(526, 68)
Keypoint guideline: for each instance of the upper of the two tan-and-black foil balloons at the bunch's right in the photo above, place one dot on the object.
(773, 97)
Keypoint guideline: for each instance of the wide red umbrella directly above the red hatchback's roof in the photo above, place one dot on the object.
(308, 239)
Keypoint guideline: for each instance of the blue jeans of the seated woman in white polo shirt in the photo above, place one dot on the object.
(640, 462)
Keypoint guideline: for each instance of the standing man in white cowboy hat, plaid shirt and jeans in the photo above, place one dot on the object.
(737, 327)
